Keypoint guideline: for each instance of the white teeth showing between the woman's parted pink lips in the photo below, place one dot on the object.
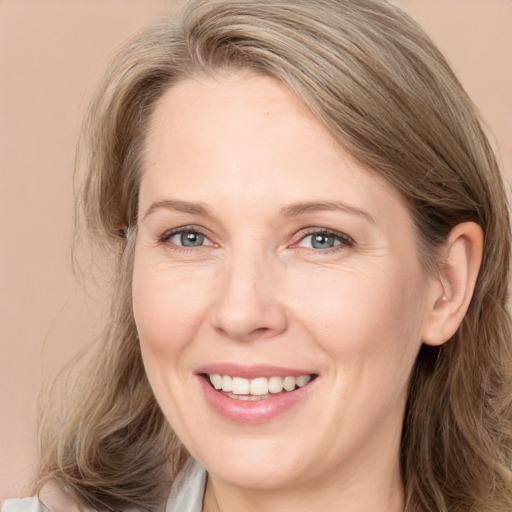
(259, 388)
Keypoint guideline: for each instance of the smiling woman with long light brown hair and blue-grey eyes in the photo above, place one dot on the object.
(312, 253)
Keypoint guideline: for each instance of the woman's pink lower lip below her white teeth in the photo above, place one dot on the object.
(252, 411)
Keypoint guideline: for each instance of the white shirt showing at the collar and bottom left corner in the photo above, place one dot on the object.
(186, 495)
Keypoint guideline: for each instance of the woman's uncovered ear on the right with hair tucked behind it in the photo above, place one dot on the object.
(451, 294)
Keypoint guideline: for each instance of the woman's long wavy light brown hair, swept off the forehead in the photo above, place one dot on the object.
(378, 83)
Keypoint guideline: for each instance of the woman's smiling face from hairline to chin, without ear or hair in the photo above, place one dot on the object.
(267, 257)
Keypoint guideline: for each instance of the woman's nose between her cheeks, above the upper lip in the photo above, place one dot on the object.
(248, 306)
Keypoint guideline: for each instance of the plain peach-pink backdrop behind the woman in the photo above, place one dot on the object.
(52, 53)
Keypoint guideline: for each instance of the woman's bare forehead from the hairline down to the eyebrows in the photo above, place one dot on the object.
(246, 140)
